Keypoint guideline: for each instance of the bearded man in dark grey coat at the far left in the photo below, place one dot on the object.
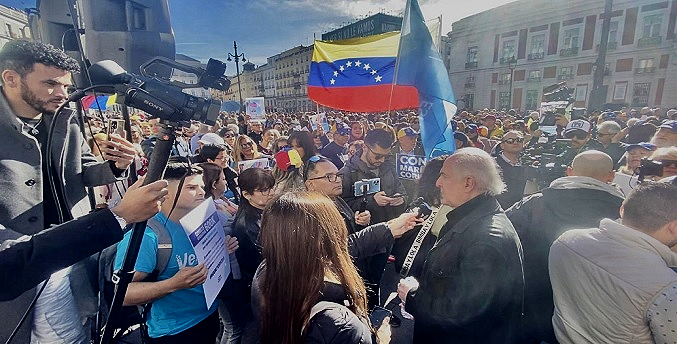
(34, 81)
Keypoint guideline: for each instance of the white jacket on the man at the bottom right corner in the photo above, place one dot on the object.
(613, 285)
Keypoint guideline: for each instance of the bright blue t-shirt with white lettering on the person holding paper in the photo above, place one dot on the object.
(182, 309)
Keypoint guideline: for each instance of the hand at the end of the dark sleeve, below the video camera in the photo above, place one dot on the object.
(141, 202)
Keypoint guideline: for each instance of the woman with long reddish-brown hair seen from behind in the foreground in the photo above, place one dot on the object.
(306, 260)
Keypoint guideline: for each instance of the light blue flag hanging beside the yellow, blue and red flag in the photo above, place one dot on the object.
(419, 64)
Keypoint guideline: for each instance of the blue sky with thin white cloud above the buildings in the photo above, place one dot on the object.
(262, 28)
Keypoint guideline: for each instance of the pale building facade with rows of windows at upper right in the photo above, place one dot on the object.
(504, 57)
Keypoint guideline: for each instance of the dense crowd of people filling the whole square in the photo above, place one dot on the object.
(585, 253)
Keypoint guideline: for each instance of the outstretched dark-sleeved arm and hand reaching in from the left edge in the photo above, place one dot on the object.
(27, 260)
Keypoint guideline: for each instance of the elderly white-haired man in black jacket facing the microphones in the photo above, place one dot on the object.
(471, 288)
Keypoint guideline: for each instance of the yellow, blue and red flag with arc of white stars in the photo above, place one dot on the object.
(357, 75)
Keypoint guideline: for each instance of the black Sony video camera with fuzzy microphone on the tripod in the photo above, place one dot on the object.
(164, 99)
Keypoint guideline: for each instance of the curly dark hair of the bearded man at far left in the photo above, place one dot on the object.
(20, 56)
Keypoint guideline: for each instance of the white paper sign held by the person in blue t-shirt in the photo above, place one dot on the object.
(205, 232)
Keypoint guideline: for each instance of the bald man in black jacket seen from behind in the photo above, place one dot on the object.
(580, 200)
